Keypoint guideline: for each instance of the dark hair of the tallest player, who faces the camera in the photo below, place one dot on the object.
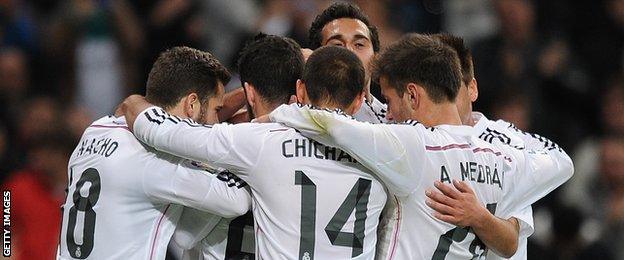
(337, 11)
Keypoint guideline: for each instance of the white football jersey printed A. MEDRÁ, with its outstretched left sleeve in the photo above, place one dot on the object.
(409, 157)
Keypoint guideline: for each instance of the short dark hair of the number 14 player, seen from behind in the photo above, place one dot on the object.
(335, 74)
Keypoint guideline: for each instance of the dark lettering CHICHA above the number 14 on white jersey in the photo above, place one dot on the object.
(303, 147)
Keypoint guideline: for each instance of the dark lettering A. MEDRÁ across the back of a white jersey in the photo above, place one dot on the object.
(474, 172)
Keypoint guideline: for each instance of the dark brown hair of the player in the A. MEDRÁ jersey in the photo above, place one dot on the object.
(417, 58)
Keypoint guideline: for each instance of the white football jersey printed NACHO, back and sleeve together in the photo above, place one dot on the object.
(124, 199)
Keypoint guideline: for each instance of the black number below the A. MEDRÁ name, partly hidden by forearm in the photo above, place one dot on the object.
(459, 234)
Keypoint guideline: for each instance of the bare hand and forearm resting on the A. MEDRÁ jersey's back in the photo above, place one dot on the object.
(459, 206)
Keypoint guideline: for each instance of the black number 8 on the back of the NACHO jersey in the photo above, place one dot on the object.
(85, 205)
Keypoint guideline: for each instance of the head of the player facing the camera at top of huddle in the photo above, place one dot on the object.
(344, 24)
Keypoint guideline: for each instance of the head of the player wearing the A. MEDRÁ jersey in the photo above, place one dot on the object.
(417, 73)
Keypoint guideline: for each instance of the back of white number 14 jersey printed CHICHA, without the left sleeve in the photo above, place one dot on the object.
(310, 201)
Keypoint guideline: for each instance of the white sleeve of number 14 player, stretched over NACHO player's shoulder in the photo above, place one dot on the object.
(218, 145)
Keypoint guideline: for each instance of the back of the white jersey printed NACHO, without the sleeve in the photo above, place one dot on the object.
(108, 214)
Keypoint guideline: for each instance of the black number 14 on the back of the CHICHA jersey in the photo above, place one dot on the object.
(357, 200)
